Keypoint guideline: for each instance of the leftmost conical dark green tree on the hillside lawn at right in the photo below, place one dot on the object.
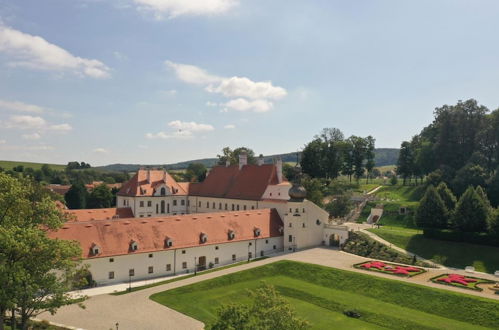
(431, 212)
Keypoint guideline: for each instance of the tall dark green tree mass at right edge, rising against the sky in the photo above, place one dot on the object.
(460, 147)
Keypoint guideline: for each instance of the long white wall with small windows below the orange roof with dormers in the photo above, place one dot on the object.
(117, 269)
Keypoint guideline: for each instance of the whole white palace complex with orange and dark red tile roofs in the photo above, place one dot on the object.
(162, 227)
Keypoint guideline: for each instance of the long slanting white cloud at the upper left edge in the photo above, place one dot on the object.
(36, 53)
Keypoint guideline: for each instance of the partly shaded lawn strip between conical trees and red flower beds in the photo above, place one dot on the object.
(452, 254)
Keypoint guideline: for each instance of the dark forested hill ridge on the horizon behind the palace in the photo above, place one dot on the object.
(383, 157)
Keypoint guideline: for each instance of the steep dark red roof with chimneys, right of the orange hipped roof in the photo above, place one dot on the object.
(249, 182)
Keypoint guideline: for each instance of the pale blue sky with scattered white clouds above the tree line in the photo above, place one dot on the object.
(161, 81)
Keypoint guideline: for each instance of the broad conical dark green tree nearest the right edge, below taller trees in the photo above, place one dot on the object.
(471, 212)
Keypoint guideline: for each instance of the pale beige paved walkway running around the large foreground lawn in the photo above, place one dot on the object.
(136, 311)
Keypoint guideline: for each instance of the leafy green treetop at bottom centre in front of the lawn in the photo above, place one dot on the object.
(267, 311)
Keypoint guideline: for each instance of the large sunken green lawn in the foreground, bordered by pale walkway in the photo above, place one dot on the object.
(321, 295)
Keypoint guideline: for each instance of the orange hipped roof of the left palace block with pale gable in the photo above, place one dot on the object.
(139, 185)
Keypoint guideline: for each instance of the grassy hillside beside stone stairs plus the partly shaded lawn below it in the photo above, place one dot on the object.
(401, 231)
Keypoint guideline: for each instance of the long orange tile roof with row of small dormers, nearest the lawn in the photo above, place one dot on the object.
(113, 237)
